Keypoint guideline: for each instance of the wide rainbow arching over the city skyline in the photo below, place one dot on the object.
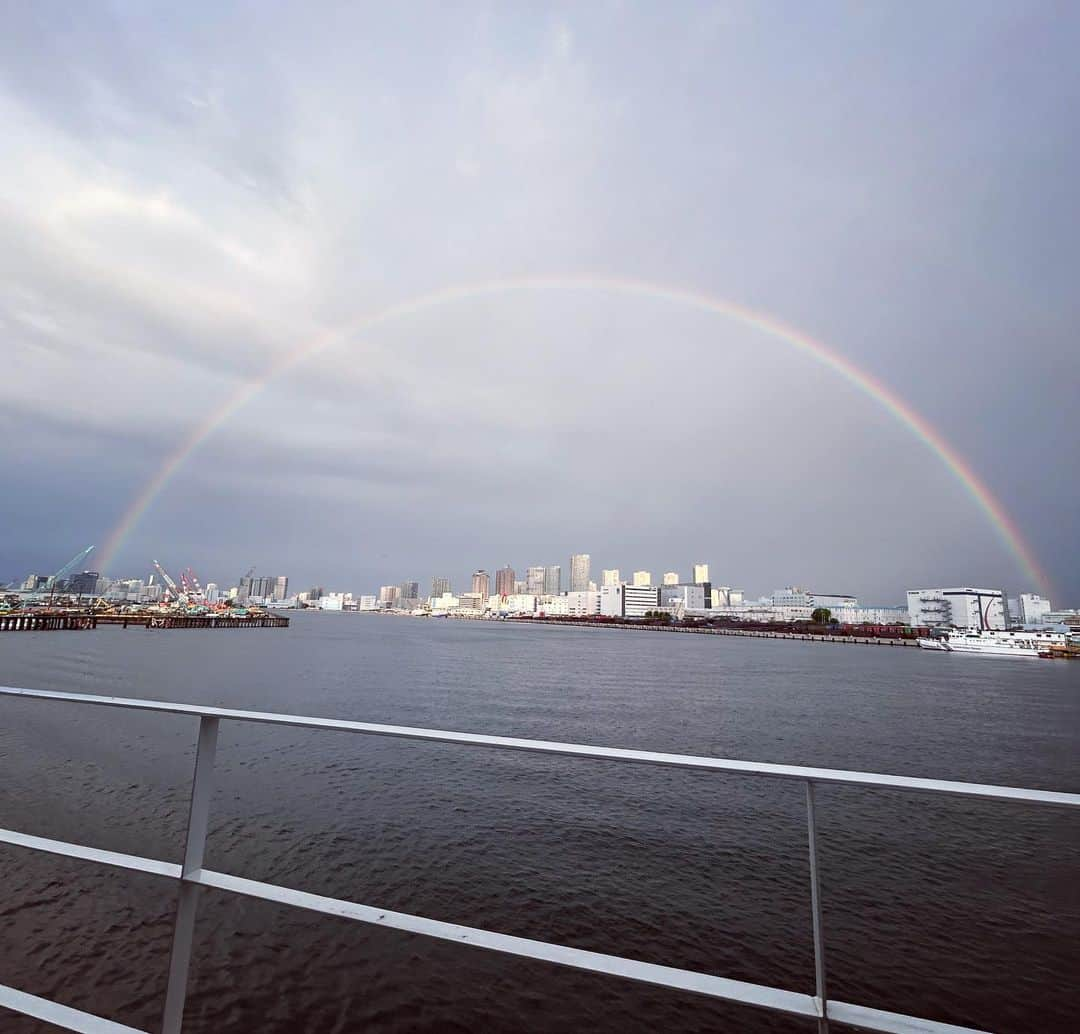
(1006, 529)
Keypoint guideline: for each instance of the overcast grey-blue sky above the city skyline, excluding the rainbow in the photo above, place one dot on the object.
(188, 193)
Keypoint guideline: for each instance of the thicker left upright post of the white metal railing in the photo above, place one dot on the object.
(202, 787)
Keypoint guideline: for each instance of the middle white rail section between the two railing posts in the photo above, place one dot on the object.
(760, 996)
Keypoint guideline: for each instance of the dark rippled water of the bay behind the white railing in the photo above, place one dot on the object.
(956, 910)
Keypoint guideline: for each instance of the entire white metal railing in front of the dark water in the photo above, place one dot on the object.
(193, 877)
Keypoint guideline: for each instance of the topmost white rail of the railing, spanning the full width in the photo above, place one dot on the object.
(835, 776)
